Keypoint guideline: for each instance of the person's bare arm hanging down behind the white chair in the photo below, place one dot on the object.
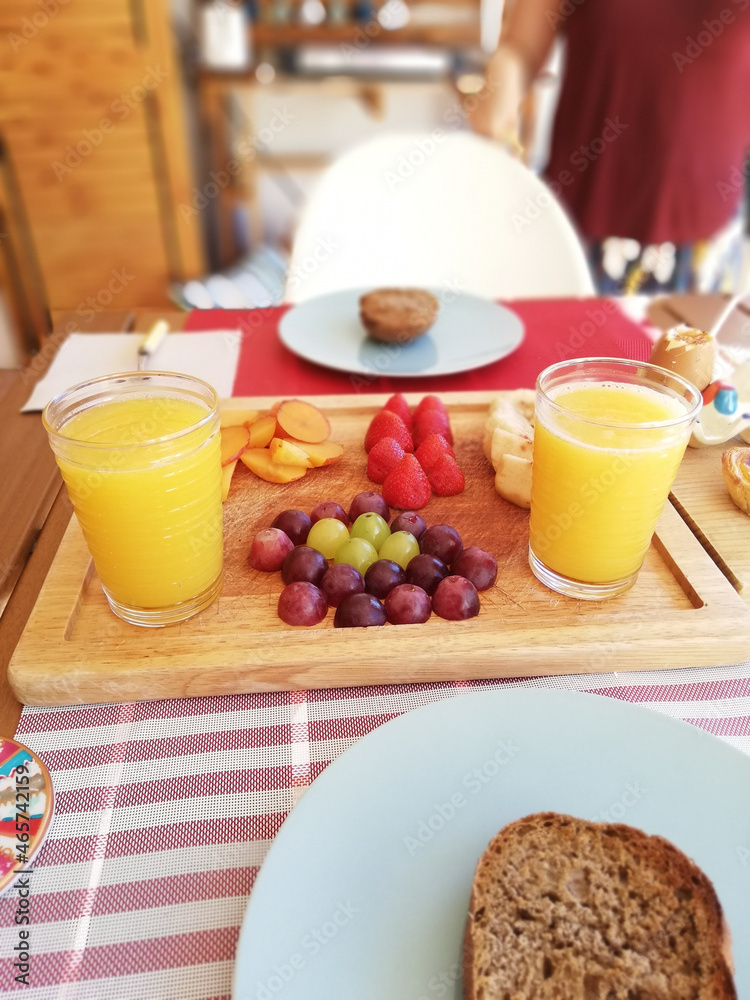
(523, 49)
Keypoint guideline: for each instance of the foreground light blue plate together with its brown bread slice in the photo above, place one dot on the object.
(511, 844)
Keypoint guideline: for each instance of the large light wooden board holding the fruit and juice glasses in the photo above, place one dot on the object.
(682, 611)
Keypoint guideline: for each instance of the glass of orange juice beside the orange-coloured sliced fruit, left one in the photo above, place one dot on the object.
(140, 455)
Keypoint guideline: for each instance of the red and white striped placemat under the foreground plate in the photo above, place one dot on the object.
(165, 811)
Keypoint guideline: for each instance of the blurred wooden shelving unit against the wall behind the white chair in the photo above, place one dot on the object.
(360, 69)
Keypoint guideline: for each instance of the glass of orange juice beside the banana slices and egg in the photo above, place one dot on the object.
(609, 436)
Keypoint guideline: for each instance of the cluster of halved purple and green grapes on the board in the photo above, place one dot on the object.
(399, 573)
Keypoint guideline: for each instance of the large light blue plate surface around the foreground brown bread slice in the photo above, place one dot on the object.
(364, 892)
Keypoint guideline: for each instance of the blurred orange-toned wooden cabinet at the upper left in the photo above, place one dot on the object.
(92, 122)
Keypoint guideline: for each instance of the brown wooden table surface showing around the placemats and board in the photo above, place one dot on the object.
(35, 510)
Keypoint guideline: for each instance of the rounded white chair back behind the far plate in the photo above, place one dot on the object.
(442, 210)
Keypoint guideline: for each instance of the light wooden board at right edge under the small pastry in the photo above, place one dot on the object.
(700, 495)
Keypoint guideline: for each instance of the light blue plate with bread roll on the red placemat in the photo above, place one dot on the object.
(401, 332)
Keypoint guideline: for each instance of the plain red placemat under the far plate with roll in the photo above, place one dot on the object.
(556, 329)
